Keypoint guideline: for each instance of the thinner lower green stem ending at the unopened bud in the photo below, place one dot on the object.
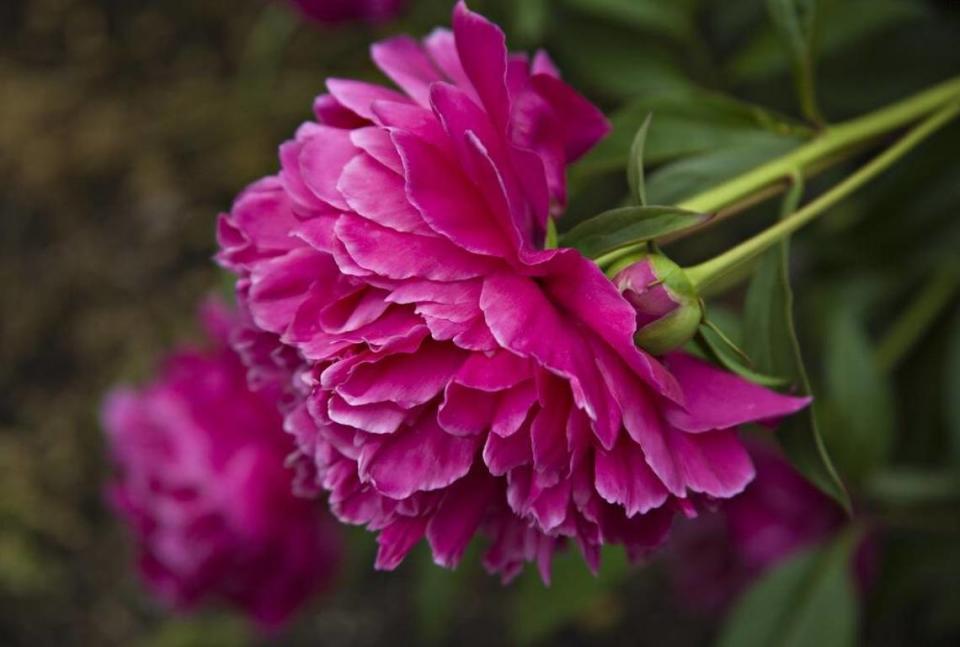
(709, 271)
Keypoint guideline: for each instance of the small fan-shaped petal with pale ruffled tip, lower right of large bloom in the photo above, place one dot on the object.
(623, 477)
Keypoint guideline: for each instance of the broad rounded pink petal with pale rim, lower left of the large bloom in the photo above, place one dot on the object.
(420, 459)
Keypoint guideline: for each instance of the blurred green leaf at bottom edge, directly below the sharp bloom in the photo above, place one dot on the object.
(574, 595)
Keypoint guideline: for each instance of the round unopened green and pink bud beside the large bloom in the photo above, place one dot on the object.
(668, 308)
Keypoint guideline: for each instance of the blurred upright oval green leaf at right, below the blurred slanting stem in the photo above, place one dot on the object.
(859, 427)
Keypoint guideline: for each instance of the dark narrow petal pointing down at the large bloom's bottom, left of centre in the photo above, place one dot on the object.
(456, 520)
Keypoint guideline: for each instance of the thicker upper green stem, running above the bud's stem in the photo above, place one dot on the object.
(833, 140)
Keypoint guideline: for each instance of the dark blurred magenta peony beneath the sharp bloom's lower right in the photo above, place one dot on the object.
(715, 557)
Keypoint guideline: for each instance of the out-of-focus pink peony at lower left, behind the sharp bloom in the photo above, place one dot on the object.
(203, 486)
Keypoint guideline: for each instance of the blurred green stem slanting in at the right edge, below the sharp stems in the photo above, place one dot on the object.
(911, 326)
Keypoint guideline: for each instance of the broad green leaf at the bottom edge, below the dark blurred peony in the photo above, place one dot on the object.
(808, 600)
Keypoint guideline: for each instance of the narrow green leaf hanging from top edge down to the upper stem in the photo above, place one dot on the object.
(796, 20)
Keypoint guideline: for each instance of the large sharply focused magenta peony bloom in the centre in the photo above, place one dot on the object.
(457, 378)
